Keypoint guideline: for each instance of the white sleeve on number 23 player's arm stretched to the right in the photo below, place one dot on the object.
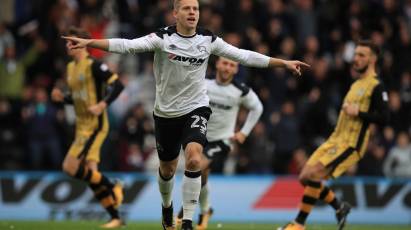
(246, 57)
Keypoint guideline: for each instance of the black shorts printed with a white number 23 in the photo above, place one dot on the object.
(172, 133)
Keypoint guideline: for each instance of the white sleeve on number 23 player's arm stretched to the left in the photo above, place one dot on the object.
(147, 43)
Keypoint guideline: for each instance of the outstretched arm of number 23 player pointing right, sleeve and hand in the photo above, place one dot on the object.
(250, 58)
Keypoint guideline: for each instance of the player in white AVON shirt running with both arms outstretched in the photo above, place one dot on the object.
(181, 109)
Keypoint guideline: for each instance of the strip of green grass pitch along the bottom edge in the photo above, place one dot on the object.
(92, 225)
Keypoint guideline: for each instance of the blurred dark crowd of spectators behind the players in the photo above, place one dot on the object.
(299, 113)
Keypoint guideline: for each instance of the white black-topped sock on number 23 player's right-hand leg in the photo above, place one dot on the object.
(191, 193)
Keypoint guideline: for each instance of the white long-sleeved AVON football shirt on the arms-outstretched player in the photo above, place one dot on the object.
(180, 64)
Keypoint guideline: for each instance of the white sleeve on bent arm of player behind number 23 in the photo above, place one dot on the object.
(255, 107)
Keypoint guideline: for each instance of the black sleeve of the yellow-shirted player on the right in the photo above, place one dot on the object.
(378, 112)
